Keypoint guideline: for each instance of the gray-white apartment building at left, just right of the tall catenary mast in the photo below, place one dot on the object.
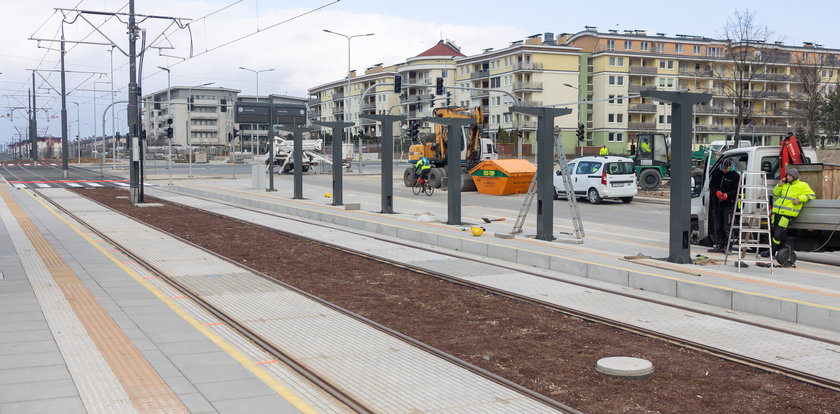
(201, 116)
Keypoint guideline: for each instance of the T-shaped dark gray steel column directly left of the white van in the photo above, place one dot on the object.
(545, 166)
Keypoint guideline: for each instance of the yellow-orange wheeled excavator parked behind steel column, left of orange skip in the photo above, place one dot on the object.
(475, 149)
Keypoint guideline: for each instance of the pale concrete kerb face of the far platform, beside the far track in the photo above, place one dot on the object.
(804, 314)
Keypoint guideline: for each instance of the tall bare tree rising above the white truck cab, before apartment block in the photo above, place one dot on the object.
(747, 51)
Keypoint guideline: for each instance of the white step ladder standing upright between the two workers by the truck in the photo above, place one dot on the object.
(751, 220)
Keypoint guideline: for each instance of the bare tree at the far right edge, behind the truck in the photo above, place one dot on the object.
(814, 70)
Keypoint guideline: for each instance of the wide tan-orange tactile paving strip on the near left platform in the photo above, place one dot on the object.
(148, 392)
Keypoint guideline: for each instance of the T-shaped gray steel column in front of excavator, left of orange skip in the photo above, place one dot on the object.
(454, 139)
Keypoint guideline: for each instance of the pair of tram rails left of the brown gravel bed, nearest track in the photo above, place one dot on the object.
(333, 390)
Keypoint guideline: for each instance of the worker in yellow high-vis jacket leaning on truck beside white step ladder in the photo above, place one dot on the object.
(788, 198)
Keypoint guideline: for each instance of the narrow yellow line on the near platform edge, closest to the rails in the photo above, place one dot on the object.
(246, 362)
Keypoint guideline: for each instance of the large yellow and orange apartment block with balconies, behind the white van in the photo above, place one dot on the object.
(620, 65)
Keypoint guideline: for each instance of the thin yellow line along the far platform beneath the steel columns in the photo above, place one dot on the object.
(562, 257)
